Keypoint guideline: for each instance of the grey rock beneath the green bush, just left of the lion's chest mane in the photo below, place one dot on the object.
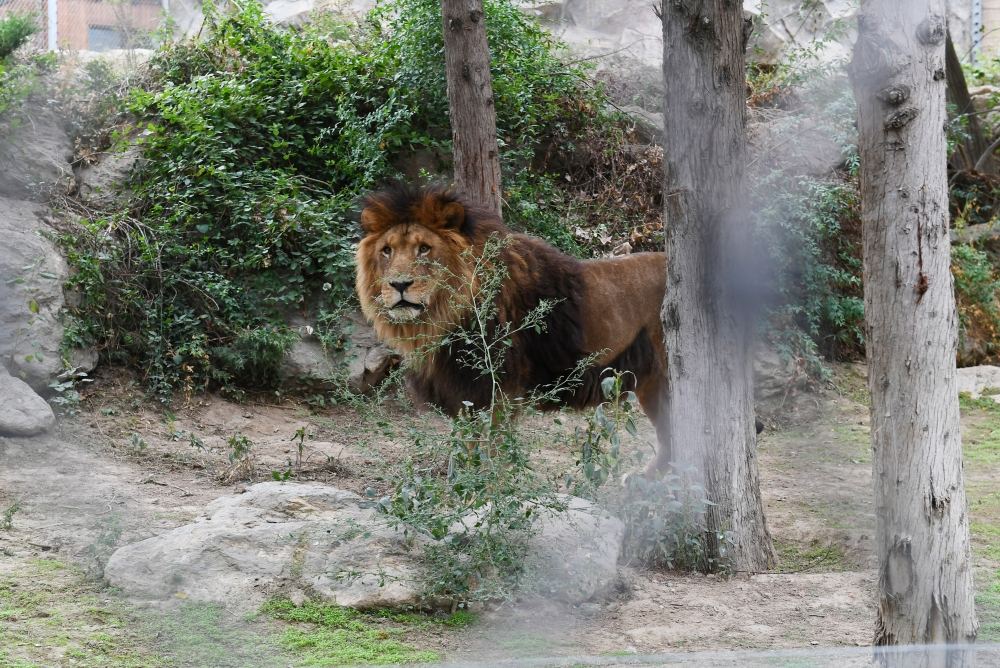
(362, 364)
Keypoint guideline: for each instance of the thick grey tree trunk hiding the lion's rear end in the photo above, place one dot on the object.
(707, 332)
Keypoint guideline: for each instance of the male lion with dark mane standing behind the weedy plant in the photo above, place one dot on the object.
(608, 307)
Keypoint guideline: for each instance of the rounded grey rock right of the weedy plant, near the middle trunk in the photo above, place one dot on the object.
(574, 556)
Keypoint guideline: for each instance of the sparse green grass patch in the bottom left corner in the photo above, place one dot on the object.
(49, 613)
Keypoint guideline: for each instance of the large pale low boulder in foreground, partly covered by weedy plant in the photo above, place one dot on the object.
(333, 545)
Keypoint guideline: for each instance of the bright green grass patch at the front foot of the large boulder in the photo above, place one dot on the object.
(325, 635)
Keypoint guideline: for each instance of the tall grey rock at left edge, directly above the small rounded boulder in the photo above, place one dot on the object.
(32, 273)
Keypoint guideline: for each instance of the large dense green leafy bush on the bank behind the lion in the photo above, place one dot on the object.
(257, 142)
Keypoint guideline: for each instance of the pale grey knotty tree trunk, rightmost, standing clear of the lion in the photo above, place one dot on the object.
(925, 581)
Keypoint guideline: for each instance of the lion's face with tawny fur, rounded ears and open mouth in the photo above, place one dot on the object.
(410, 264)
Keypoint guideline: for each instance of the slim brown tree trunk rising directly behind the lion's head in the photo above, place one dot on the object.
(470, 102)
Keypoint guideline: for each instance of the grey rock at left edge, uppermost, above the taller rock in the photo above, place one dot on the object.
(35, 156)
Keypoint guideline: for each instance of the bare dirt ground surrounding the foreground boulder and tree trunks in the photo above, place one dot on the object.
(124, 469)
